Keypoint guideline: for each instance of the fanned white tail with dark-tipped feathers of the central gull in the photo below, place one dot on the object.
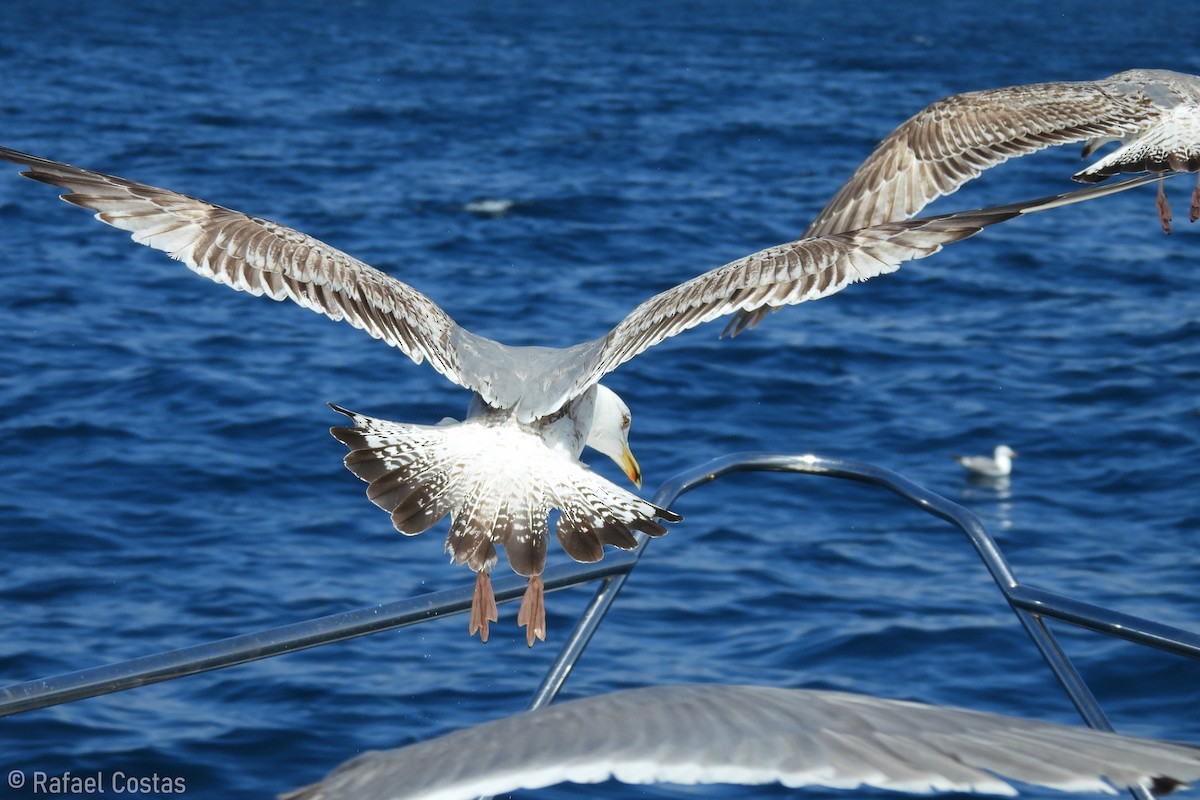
(500, 486)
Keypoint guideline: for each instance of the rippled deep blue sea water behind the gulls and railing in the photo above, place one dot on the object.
(169, 474)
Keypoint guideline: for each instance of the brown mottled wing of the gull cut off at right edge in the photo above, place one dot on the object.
(957, 139)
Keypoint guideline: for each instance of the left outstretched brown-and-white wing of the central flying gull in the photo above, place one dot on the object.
(262, 258)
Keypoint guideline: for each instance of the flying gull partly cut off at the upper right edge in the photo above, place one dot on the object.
(1155, 115)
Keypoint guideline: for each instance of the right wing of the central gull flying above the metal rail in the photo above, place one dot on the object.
(807, 269)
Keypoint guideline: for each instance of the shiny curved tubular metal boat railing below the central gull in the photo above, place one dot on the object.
(1033, 606)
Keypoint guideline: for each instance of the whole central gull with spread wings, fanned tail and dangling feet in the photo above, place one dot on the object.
(500, 473)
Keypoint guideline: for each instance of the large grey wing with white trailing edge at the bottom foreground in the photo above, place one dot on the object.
(753, 735)
